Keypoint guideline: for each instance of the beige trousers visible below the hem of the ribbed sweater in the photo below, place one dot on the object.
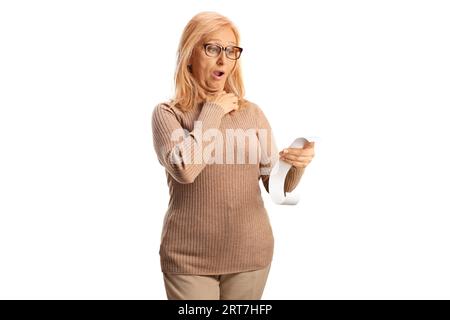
(234, 286)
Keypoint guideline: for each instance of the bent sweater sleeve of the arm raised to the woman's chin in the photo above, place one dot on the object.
(178, 150)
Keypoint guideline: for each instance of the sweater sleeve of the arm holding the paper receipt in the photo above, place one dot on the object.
(269, 155)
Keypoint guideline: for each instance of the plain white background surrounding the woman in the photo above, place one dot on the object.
(82, 195)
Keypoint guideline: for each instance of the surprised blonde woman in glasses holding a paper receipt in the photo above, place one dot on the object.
(217, 240)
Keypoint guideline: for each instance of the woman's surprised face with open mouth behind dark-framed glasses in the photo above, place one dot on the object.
(205, 68)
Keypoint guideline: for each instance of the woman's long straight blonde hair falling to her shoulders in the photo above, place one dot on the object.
(187, 90)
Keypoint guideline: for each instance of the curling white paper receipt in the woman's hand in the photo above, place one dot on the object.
(278, 175)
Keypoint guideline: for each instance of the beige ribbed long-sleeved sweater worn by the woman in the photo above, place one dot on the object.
(216, 222)
